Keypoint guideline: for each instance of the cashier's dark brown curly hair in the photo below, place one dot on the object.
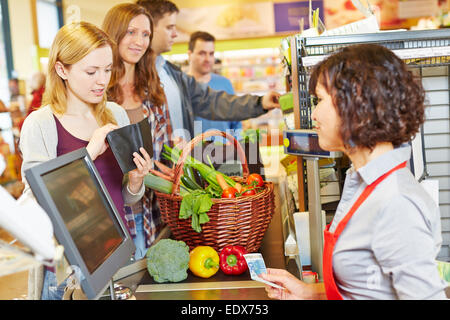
(376, 96)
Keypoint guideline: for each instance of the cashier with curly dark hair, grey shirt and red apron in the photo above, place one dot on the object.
(386, 232)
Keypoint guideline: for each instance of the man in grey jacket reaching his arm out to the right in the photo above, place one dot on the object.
(186, 97)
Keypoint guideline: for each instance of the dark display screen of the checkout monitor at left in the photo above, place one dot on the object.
(93, 228)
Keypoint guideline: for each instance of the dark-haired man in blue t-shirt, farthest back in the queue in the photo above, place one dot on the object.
(201, 63)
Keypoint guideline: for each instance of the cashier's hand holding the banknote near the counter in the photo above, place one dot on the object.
(294, 289)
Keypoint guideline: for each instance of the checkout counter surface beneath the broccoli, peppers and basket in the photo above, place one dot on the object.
(221, 286)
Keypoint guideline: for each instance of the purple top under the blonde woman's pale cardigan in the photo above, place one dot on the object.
(106, 165)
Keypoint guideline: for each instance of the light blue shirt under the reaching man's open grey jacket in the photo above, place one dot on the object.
(173, 99)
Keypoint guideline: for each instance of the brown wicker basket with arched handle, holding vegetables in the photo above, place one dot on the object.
(239, 221)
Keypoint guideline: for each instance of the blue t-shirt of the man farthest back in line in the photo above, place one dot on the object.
(220, 83)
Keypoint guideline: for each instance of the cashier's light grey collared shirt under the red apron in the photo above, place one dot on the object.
(389, 246)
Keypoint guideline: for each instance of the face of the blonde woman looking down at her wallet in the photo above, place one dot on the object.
(88, 79)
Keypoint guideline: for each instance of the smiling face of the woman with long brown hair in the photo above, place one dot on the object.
(136, 41)
